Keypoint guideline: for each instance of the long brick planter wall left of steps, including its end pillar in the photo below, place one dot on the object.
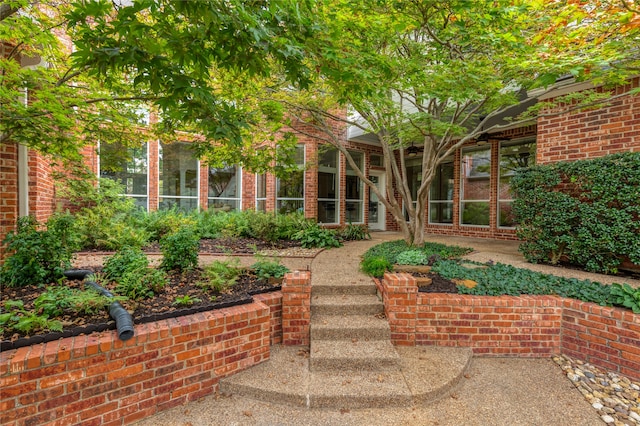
(100, 380)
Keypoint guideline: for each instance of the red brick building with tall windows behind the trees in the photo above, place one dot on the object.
(469, 196)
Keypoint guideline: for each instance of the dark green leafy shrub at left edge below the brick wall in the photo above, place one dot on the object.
(37, 257)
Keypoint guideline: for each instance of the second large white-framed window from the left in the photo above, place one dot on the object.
(178, 182)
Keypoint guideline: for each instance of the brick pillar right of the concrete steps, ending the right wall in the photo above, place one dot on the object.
(400, 298)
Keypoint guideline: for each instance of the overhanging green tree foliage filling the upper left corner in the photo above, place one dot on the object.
(129, 58)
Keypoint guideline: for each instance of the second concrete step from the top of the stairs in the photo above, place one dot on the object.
(346, 305)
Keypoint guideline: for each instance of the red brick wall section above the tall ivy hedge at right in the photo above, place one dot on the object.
(590, 134)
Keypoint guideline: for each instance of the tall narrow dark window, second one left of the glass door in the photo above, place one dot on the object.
(328, 186)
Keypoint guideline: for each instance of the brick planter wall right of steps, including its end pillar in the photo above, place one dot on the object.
(526, 326)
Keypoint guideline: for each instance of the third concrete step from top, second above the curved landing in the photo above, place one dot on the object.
(348, 327)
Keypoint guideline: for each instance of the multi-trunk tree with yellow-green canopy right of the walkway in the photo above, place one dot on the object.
(435, 74)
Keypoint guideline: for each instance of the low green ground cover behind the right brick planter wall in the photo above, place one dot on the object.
(493, 279)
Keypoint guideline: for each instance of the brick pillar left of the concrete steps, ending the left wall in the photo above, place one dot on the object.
(296, 308)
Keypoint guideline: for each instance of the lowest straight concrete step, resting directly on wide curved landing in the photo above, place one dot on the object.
(352, 355)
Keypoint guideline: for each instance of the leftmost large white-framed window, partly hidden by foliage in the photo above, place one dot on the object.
(129, 167)
